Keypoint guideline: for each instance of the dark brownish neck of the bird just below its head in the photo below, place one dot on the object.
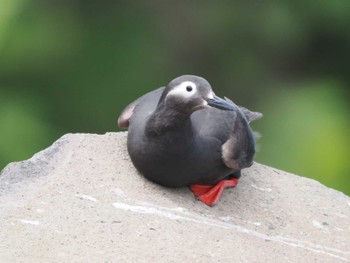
(165, 120)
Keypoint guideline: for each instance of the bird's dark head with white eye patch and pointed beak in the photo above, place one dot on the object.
(189, 93)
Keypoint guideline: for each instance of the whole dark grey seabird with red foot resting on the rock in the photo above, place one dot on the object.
(185, 135)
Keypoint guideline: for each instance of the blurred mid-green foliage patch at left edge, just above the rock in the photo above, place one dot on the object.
(24, 129)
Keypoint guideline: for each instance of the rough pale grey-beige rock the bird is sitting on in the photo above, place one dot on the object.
(81, 200)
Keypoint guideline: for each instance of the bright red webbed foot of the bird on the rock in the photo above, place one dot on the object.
(210, 194)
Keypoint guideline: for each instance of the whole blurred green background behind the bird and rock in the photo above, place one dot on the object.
(71, 66)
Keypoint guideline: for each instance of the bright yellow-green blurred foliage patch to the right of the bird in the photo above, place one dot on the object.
(306, 132)
